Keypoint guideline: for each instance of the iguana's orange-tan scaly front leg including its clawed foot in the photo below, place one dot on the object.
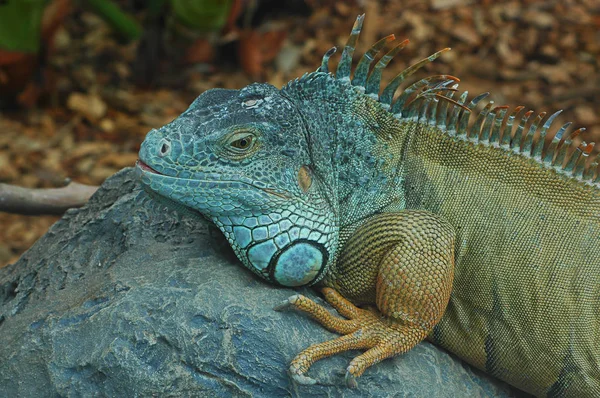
(404, 262)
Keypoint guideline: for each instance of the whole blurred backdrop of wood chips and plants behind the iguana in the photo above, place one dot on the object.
(81, 82)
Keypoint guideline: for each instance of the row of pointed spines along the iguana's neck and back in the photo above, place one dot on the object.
(430, 101)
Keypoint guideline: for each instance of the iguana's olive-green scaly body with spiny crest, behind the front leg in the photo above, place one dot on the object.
(525, 305)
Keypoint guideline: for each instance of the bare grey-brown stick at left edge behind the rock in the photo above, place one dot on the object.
(29, 201)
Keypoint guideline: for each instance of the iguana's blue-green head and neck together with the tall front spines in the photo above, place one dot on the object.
(282, 172)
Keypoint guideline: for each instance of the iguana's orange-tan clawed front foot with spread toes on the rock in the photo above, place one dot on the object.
(364, 329)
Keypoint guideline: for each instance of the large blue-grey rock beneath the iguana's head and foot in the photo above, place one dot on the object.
(123, 298)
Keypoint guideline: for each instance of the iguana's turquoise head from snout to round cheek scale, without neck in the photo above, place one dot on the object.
(240, 158)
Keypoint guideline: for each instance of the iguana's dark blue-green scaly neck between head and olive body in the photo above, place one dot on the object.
(356, 149)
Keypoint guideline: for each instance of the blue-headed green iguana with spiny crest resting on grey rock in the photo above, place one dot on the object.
(462, 230)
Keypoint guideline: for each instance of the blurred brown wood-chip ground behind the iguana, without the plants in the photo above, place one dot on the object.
(541, 54)
